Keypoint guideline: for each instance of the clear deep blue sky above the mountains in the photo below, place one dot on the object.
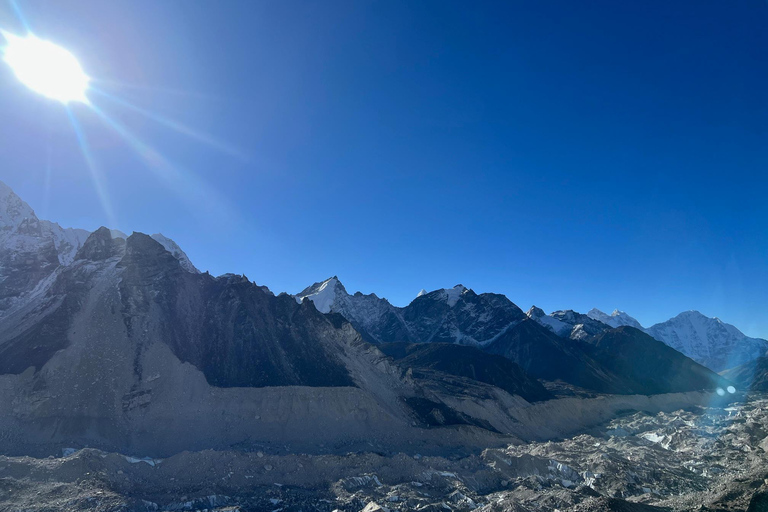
(567, 154)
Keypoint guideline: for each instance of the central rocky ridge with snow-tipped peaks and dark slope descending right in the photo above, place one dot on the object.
(495, 325)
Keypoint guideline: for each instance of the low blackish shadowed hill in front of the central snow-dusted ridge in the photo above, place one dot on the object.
(468, 362)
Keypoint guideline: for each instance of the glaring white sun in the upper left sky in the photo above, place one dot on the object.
(46, 68)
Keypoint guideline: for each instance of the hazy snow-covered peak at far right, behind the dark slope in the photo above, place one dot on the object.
(708, 341)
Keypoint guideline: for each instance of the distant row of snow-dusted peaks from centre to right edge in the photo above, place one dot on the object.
(459, 315)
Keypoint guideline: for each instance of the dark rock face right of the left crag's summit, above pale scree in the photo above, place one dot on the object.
(244, 337)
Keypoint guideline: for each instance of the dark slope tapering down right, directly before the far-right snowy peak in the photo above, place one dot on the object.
(648, 366)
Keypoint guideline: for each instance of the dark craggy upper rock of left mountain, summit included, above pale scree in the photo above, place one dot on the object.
(235, 332)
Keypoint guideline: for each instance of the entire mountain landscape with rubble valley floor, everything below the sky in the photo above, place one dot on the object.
(130, 380)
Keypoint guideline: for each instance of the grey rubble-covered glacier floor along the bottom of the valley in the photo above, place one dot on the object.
(711, 459)
